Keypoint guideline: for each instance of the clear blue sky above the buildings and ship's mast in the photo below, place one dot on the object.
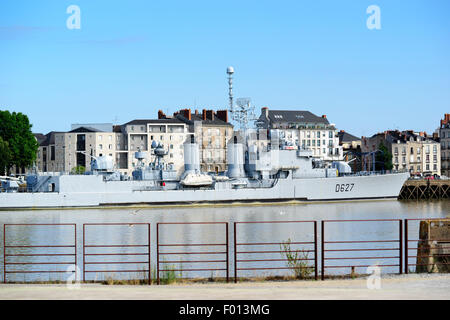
(132, 58)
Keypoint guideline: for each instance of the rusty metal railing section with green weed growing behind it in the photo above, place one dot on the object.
(260, 255)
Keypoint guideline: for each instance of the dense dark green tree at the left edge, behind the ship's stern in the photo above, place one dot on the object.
(15, 129)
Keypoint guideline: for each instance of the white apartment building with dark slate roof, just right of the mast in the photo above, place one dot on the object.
(305, 129)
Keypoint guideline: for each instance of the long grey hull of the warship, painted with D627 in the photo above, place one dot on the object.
(127, 193)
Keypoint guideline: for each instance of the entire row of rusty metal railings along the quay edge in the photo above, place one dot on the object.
(340, 250)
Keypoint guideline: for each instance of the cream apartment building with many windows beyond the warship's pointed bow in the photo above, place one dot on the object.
(413, 151)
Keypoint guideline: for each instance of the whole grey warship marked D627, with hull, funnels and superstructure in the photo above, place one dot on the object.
(281, 172)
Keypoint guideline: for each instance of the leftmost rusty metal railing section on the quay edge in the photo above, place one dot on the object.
(14, 253)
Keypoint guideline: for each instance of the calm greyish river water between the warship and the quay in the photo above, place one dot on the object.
(137, 234)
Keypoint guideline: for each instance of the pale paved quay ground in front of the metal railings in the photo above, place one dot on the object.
(392, 287)
